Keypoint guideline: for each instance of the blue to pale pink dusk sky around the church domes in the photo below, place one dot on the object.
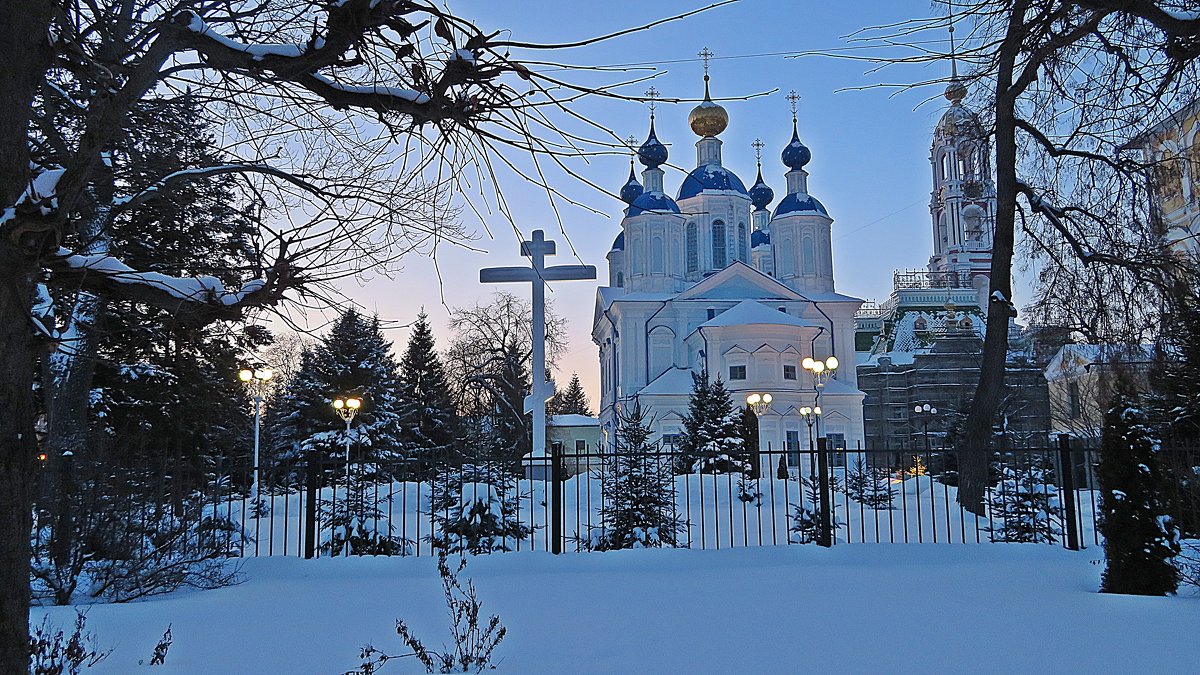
(871, 147)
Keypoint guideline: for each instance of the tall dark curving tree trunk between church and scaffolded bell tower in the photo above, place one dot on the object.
(975, 451)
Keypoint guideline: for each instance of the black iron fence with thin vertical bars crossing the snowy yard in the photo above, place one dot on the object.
(320, 506)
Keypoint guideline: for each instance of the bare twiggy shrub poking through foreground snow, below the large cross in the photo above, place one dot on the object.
(473, 643)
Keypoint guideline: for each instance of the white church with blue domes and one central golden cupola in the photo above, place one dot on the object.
(715, 280)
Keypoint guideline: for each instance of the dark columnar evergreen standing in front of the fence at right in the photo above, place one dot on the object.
(1139, 540)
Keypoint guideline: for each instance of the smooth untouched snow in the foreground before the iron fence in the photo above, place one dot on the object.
(860, 608)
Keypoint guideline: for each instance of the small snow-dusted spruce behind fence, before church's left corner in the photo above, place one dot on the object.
(638, 489)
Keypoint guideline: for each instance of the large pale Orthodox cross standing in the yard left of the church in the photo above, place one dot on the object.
(538, 274)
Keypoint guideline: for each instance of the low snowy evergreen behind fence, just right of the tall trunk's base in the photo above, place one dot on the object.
(1024, 505)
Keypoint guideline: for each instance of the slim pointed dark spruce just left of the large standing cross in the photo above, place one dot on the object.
(428, 419)
